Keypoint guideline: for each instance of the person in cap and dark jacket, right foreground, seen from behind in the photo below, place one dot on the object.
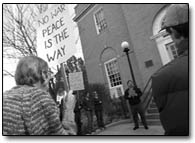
(170, 84)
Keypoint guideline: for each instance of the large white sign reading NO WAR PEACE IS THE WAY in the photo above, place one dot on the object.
(55, 35)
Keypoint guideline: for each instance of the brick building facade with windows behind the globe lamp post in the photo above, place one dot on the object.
(102, 29)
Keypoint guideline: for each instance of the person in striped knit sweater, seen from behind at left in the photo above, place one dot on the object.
(28, 109)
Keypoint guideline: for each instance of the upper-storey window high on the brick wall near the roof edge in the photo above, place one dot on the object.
(100, 21)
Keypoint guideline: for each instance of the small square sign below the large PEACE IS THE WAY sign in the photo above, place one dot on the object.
(76, 81)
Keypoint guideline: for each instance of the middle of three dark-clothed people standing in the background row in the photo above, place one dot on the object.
(87, 106)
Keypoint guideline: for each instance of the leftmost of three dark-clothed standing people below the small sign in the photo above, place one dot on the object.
(77, 111)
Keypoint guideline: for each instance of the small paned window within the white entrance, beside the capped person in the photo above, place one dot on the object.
(172, 50)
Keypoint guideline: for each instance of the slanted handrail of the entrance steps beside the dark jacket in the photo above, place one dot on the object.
(147, 94)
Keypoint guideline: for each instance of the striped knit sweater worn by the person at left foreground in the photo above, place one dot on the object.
(31, 111)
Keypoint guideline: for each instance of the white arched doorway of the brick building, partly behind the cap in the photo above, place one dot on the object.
(165, 44)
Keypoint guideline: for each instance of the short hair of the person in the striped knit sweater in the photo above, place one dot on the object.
(29, 70)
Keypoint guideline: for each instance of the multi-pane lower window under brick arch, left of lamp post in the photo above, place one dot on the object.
(113, 74)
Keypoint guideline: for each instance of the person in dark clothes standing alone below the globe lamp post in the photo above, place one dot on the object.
(133, 94)
